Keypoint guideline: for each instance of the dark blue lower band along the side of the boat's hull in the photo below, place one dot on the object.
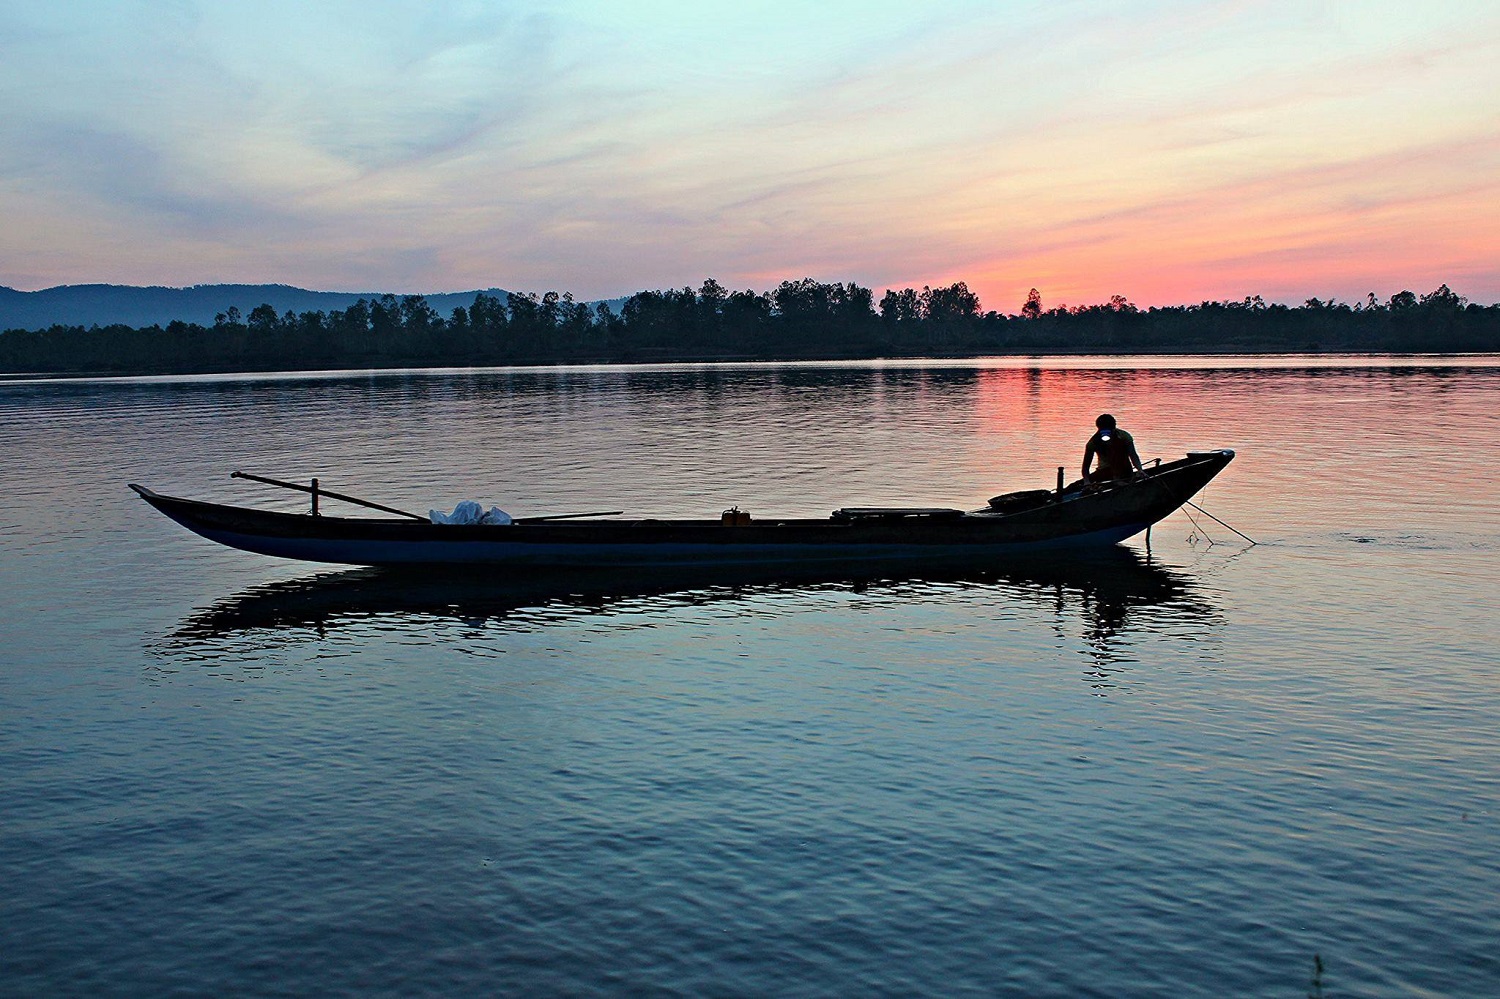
(617, 556)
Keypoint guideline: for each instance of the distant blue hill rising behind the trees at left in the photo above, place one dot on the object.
(104, 305)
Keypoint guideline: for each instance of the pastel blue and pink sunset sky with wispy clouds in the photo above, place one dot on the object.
(1165, 151)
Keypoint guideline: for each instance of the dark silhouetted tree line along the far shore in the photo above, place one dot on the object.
(799, 320)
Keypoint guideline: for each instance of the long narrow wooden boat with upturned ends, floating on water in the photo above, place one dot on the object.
(1070, 517)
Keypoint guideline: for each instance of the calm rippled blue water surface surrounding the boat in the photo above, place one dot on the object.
(1181, 775)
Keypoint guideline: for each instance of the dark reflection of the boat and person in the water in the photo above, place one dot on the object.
(1106, 595)
